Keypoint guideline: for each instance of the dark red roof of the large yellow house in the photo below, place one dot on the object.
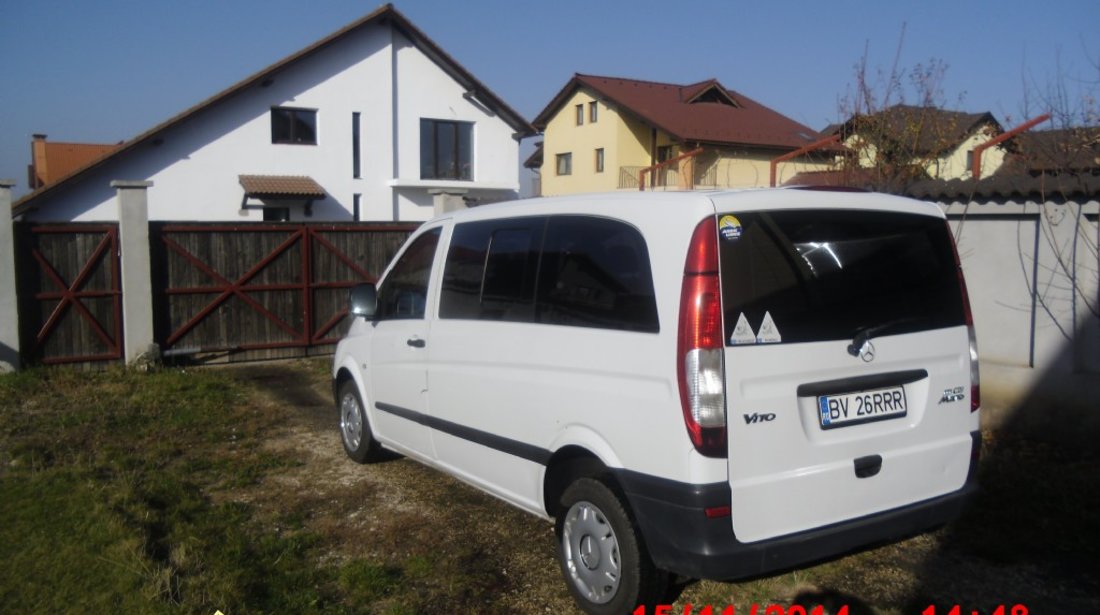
(705, 113)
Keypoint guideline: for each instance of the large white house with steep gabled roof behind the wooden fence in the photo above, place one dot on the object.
(373, 123)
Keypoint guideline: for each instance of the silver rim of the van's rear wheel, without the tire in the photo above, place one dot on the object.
(591, 552)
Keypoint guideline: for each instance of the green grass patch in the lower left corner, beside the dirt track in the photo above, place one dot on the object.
(117, 498)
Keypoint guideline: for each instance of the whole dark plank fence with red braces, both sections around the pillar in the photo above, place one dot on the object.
(221, 292)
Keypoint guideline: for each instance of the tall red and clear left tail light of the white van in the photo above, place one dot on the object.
(700, 349)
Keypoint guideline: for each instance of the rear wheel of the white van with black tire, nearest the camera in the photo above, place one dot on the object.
(603, 559)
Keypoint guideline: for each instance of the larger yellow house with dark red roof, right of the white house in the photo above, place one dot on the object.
(607, 134)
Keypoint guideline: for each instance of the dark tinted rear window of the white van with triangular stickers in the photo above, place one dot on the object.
(829, 276)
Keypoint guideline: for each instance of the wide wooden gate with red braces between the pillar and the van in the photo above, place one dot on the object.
(261, 291)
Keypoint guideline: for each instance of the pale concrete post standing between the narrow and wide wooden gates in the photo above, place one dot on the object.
(137, 277)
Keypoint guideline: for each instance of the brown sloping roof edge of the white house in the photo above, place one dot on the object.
(384, 16)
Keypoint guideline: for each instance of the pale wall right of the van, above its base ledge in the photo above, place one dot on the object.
(997, 247)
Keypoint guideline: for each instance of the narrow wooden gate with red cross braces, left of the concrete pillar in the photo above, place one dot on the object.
(71, 294)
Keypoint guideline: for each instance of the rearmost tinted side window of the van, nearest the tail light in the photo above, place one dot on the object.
(596, 273)
